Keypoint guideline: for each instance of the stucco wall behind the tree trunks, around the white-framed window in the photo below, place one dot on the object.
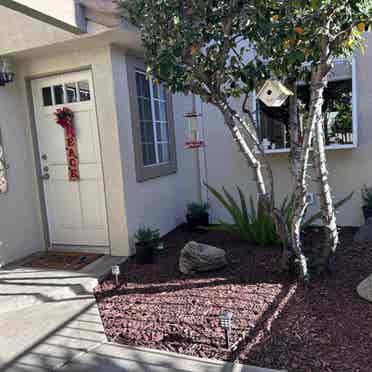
(349, 168)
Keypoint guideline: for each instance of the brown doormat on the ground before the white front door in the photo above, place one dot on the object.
(61, 260)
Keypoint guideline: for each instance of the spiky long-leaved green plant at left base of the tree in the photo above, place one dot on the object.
(250, 223)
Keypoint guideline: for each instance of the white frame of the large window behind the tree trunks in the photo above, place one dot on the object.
(354, 109)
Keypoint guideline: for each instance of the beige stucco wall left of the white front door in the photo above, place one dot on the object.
(20, 221)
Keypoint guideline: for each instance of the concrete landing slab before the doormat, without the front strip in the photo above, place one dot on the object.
(48, 317)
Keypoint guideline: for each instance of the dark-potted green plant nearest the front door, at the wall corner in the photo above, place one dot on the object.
(147, 240)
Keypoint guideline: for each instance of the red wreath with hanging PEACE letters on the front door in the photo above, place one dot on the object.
(64, 118)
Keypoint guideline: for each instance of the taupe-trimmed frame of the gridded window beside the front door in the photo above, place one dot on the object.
(150, 171)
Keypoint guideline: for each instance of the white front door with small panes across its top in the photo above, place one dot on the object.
(76, 210)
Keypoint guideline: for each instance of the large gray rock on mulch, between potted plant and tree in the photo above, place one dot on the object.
(196, 257)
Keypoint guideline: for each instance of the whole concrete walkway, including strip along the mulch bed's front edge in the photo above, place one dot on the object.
(49, 321)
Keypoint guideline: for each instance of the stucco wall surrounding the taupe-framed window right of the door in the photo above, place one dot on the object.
(160, 202)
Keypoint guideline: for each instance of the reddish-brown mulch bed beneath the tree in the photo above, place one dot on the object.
(276, 323)
